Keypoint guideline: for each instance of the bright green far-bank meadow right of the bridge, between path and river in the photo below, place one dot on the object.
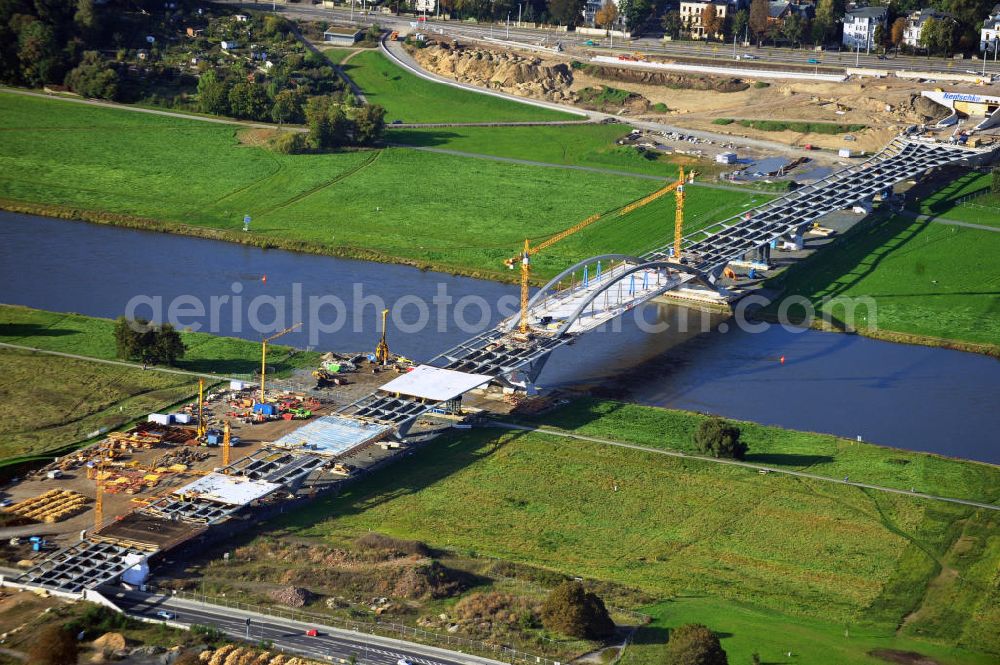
(927, 279)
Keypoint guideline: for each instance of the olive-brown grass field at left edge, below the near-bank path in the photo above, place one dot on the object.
(47, 403)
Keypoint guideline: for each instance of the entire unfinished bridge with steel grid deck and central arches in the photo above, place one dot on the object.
(511, 354)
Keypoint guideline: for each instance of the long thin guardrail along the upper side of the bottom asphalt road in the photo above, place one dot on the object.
(381, 628)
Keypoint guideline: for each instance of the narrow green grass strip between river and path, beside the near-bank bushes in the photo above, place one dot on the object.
(91, 336)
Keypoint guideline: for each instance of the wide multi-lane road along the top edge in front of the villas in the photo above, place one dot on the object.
(574, 43)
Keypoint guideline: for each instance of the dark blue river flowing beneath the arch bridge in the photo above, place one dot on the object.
(905, 396)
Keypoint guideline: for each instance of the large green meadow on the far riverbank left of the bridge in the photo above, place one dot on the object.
(459, 214)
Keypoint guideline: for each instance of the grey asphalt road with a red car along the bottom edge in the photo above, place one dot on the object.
(289, 635)
